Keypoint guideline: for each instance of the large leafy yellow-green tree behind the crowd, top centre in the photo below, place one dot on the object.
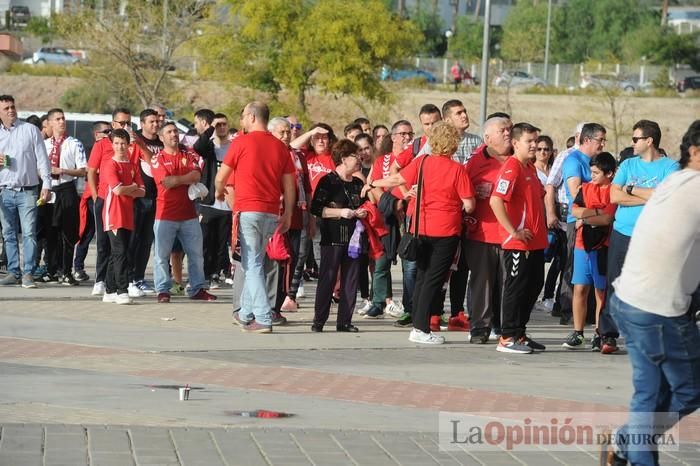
(337, 46)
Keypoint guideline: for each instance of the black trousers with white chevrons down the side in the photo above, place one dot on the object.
(524, 272)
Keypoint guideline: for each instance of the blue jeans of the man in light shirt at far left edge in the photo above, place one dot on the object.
(18, 208)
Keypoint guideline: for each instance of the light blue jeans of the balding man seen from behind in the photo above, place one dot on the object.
(254, 231)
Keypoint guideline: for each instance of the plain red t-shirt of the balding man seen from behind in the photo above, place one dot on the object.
(258, 160)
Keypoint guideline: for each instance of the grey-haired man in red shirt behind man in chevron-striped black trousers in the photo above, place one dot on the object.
(483, 246)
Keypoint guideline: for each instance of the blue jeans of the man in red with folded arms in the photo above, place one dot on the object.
(190, 235)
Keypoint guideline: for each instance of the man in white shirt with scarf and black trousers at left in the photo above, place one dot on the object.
(68, 163)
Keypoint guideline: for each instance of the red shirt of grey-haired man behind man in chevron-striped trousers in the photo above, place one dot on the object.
(483, 171)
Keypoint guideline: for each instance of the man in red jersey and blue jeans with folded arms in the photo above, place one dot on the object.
(174, 169)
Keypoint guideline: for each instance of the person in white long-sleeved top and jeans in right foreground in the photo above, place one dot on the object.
(651, 307)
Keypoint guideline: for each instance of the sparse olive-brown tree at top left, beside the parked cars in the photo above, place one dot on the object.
(137, 43)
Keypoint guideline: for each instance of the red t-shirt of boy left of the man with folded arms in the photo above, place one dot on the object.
(118, 210)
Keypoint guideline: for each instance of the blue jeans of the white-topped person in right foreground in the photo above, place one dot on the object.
(665, 357)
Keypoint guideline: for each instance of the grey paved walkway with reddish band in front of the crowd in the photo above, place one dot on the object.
(90, 383)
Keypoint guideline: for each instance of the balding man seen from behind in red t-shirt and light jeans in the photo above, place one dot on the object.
(259, 168)
